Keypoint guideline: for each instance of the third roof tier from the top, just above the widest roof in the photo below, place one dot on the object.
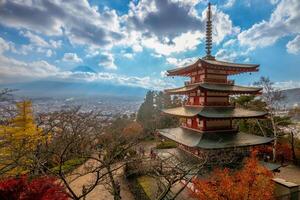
(215, 112)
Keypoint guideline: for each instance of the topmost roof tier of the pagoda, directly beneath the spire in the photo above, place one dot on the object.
(228, 67)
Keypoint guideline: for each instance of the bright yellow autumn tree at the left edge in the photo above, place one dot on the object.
(19, 142)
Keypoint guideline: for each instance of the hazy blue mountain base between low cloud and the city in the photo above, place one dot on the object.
(73, 89)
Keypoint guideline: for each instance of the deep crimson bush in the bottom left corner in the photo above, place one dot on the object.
(22, 188)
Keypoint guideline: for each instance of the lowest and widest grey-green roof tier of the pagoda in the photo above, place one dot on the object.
(213, 140)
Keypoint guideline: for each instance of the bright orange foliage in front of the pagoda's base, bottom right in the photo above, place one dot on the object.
(253, 181)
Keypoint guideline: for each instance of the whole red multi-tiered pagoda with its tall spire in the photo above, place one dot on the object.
(207, 116)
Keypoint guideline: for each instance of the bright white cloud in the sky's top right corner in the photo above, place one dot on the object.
(285, 20)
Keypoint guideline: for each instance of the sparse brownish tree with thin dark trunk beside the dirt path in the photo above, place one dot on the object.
(116, 151)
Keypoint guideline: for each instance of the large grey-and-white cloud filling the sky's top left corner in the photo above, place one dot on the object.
(78, 20)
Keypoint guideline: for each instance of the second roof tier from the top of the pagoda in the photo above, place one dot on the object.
(233, 89)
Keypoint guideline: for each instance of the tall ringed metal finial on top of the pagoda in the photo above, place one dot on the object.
(208, 45)
